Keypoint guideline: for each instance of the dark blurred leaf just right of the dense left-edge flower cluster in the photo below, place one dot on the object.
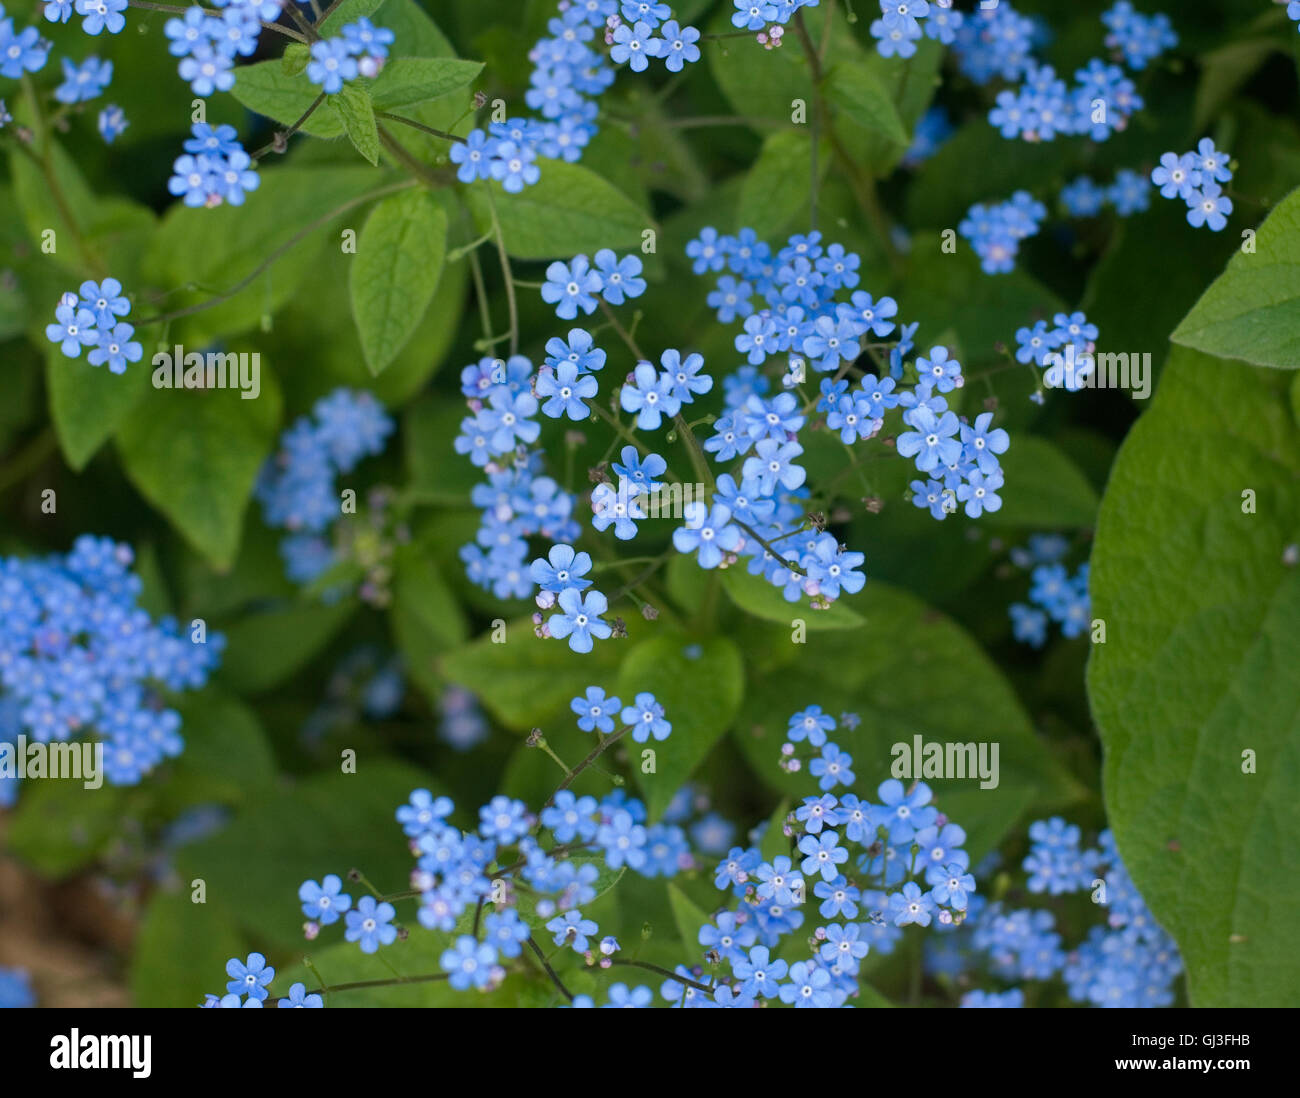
(265, 649)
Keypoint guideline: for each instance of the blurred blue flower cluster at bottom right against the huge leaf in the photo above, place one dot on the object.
(1130, 962)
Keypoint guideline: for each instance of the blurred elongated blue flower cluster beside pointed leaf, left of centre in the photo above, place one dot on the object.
(297, 488)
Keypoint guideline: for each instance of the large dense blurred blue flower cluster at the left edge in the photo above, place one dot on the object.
(80, 657)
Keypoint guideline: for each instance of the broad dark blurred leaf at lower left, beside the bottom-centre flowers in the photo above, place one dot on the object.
(326, 824)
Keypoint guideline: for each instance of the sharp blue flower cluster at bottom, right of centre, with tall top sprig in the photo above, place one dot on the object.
(872, 869)
